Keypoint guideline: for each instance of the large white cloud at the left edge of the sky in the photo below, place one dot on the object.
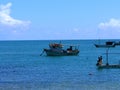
(7, 20)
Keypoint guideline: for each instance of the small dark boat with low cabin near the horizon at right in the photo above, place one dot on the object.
(106, 45)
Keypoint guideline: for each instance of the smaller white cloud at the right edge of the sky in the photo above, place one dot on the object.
(112, 23)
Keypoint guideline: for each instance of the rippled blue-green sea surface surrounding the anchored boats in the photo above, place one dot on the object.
(22, 67)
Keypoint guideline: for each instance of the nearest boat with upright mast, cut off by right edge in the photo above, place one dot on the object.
(107, 65)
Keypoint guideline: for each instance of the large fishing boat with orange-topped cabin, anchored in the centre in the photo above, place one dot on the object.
(56, 49)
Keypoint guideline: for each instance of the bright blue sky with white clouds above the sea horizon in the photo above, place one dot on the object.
(59, 19)
